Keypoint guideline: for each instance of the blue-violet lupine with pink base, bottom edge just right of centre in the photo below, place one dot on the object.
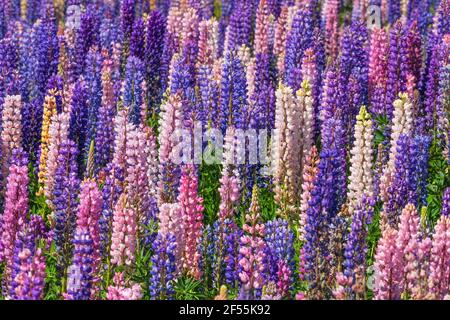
(280, 254)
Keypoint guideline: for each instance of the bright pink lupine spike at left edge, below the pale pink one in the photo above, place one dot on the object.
(15, 207)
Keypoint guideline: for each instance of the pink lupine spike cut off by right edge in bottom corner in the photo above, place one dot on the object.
(439, 277)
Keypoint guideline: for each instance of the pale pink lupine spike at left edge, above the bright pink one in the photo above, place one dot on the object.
(11, 130)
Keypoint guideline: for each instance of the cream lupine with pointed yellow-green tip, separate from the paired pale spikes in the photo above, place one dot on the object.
(361, 171)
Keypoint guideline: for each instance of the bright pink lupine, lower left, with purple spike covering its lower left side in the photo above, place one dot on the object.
(88, 216)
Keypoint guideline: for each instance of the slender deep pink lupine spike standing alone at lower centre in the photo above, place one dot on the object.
(192, 211)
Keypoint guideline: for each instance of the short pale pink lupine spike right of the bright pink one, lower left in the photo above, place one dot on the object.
(124, 233)
